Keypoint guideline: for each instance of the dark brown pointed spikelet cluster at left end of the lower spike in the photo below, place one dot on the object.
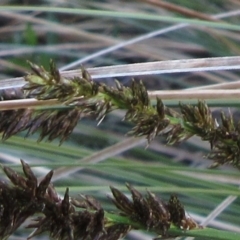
(22, 200)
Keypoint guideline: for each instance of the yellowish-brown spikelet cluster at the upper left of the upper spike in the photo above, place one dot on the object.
(50, 85)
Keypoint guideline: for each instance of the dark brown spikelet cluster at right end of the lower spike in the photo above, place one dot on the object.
(152, 212)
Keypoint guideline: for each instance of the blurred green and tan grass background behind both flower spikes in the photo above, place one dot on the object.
(68, 38)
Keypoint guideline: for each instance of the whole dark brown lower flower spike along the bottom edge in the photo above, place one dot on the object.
(83, 217)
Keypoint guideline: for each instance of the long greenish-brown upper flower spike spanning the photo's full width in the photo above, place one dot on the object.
(82, 97)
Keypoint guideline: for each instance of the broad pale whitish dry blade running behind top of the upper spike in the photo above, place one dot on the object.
(150, 68)
